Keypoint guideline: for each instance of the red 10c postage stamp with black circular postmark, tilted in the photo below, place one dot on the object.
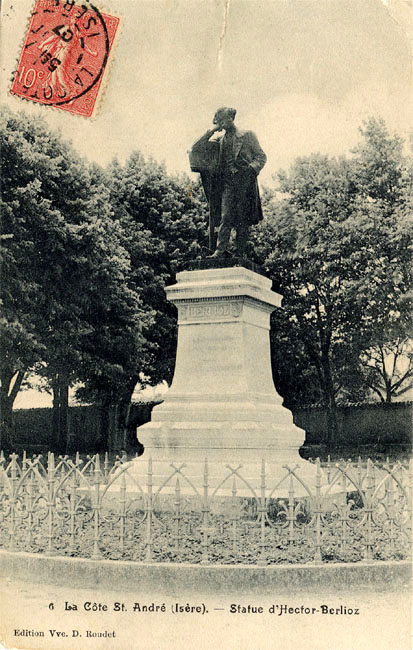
(65, 52)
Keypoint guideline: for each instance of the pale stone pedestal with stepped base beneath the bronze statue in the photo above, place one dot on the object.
(222, 404)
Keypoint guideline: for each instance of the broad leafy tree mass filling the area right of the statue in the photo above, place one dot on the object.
(338, 249)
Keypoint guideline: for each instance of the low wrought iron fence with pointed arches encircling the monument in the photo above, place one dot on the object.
(87, 508)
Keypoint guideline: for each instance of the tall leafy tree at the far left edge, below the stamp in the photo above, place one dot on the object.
(29, 220)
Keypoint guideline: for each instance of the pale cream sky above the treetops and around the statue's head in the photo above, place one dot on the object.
(302, 74)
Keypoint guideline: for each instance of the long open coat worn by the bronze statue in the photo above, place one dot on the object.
(247, 155)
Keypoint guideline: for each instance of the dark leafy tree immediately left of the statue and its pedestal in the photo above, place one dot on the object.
(163, 224)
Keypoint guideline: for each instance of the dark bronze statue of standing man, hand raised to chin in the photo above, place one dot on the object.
(229, 167)
